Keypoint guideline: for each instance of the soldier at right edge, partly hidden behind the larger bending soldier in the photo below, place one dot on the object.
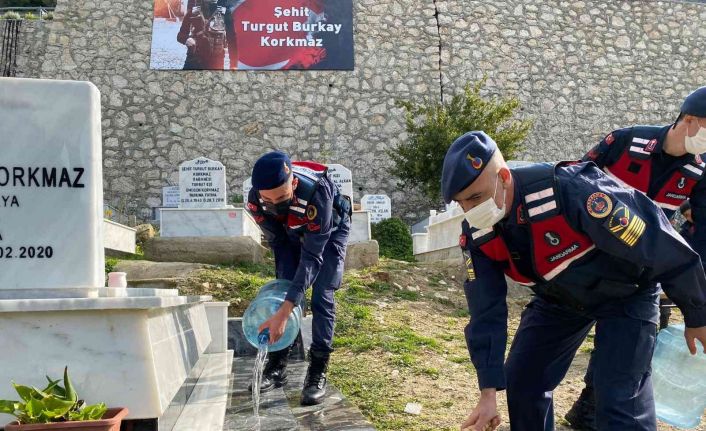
(666, 163)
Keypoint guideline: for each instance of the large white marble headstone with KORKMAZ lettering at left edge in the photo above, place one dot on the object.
(51, 189)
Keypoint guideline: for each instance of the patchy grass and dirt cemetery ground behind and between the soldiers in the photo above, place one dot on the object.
(399, 339)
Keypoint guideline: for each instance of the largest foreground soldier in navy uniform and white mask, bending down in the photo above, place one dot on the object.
(593, 252)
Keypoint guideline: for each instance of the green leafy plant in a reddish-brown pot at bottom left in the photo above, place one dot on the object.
(58, 407)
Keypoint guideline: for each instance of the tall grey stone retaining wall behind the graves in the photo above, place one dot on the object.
(580, 69)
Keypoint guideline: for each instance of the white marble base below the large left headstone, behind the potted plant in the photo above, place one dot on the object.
(135, 358)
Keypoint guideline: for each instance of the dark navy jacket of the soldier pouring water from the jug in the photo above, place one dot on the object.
(298, 241)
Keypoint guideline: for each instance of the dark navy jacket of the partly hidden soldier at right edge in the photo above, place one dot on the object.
(607, 153)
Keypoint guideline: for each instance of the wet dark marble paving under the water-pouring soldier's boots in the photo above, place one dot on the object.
(280, 409)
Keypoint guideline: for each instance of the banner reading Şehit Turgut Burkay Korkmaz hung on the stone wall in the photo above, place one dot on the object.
(252, 35)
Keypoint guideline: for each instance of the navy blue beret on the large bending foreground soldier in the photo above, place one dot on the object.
(464, 162)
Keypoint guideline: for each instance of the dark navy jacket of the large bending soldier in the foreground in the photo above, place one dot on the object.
(656, 253)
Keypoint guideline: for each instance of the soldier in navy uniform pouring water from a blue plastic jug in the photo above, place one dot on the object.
(306, 221)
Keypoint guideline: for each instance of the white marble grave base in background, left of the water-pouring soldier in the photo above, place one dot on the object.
(178, 222)
